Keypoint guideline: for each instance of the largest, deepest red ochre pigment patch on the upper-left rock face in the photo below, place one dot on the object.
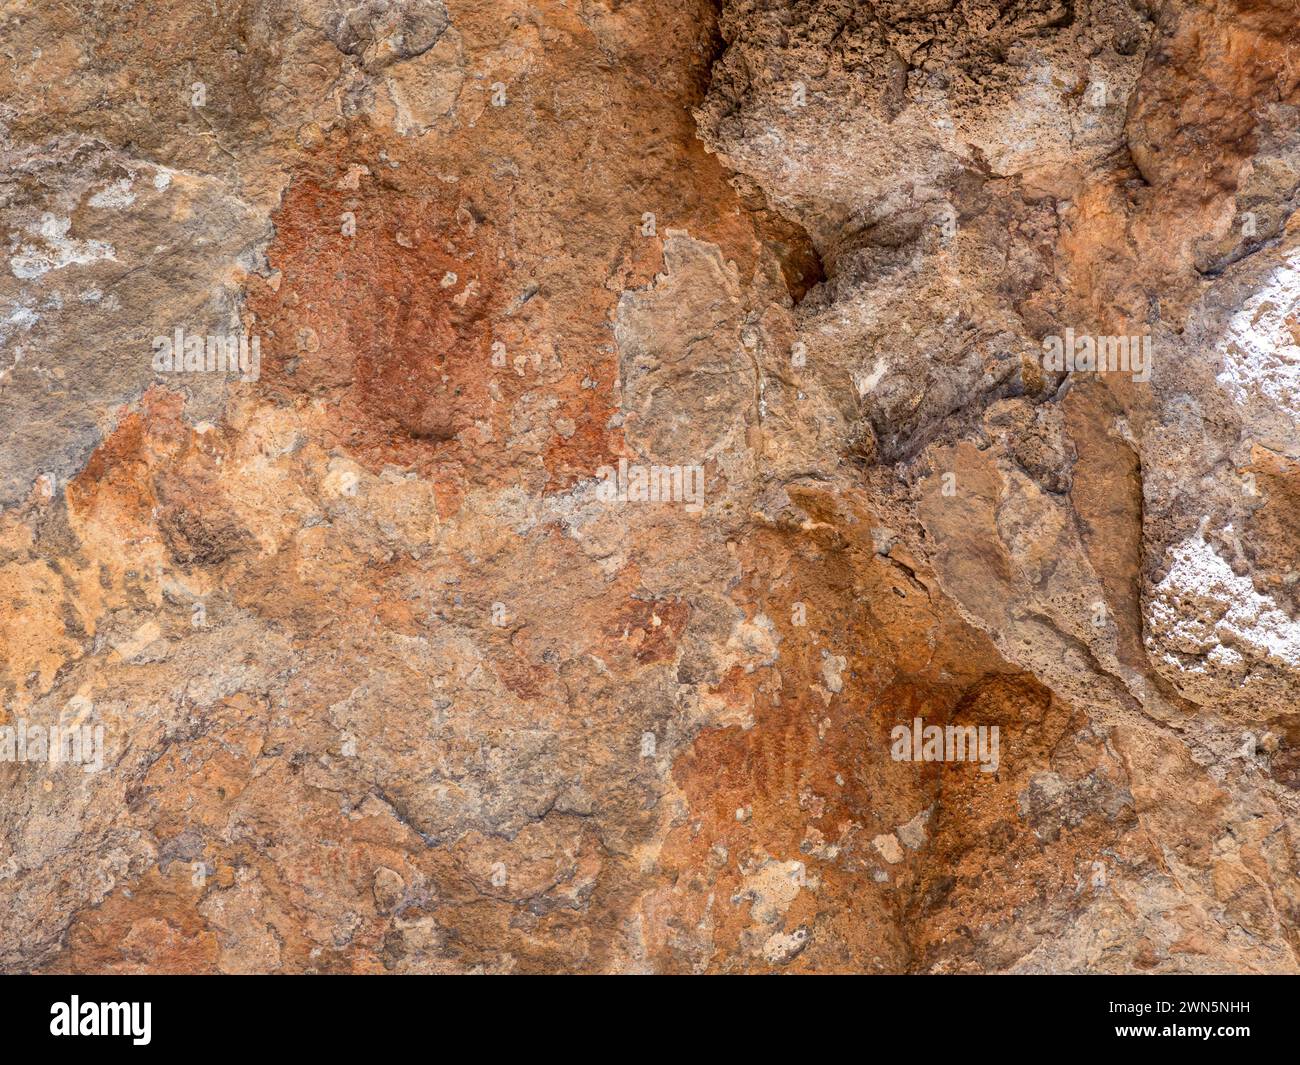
(391, 326)
